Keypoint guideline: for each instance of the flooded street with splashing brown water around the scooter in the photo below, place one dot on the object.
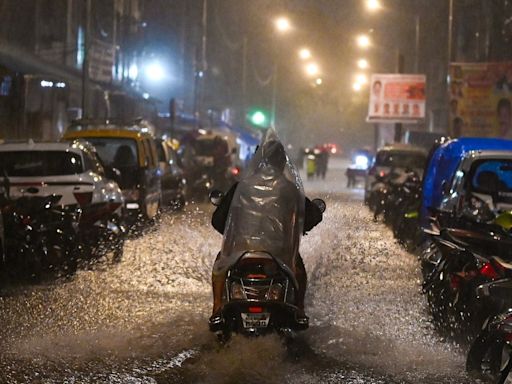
(144, 320)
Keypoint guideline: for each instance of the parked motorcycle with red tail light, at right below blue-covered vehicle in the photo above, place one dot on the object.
(456, 263)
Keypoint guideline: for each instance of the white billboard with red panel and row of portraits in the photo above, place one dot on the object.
(397, 98)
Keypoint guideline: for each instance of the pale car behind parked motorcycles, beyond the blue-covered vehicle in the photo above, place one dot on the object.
(399, 157)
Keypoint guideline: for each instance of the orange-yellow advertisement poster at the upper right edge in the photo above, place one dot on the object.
(480, 99)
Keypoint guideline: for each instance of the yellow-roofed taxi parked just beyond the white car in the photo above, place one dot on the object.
(129, 148)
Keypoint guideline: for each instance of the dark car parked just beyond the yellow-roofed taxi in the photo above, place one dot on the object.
(173, 178)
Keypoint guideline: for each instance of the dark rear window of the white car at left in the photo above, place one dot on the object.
(40, 163)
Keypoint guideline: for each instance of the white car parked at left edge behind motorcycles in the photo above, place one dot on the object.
(71, 170)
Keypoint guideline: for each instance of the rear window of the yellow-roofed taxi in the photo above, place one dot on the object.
(116, 152)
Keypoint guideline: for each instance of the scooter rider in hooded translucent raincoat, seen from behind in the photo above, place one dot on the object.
(266, 211)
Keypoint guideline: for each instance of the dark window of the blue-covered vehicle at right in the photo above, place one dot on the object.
(492, 177)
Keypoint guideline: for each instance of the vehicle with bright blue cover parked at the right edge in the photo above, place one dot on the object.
(465, 169)
